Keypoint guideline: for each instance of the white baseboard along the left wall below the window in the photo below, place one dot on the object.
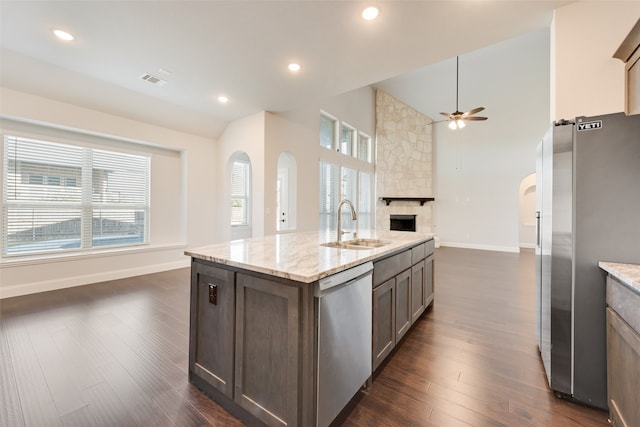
(69, 282)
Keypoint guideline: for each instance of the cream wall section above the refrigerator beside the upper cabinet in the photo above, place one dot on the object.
(586, 79)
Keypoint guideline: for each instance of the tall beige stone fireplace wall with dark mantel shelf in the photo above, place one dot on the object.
(404, 161)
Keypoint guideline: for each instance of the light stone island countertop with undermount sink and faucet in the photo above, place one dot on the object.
(300, 256)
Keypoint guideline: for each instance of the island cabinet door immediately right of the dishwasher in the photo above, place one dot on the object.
(384, 327)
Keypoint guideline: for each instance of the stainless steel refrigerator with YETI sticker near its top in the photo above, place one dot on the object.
(588, 210)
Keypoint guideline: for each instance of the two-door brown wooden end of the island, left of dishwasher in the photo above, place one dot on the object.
(250, 344)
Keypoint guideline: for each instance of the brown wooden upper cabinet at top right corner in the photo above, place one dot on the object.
(629, 53)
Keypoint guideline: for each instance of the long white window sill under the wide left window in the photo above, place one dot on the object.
(26, 260)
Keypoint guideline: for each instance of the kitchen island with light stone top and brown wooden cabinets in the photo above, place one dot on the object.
(255, 317)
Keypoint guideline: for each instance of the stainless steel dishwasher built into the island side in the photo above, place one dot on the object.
(344, 339)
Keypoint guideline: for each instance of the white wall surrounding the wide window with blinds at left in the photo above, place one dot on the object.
(184, 212)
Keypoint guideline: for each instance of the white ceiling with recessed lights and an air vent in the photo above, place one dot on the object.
(240, 48)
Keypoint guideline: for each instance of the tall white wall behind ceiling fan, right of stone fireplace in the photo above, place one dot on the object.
(479, 168)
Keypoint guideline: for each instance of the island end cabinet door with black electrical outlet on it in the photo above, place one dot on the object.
(212, 326)
